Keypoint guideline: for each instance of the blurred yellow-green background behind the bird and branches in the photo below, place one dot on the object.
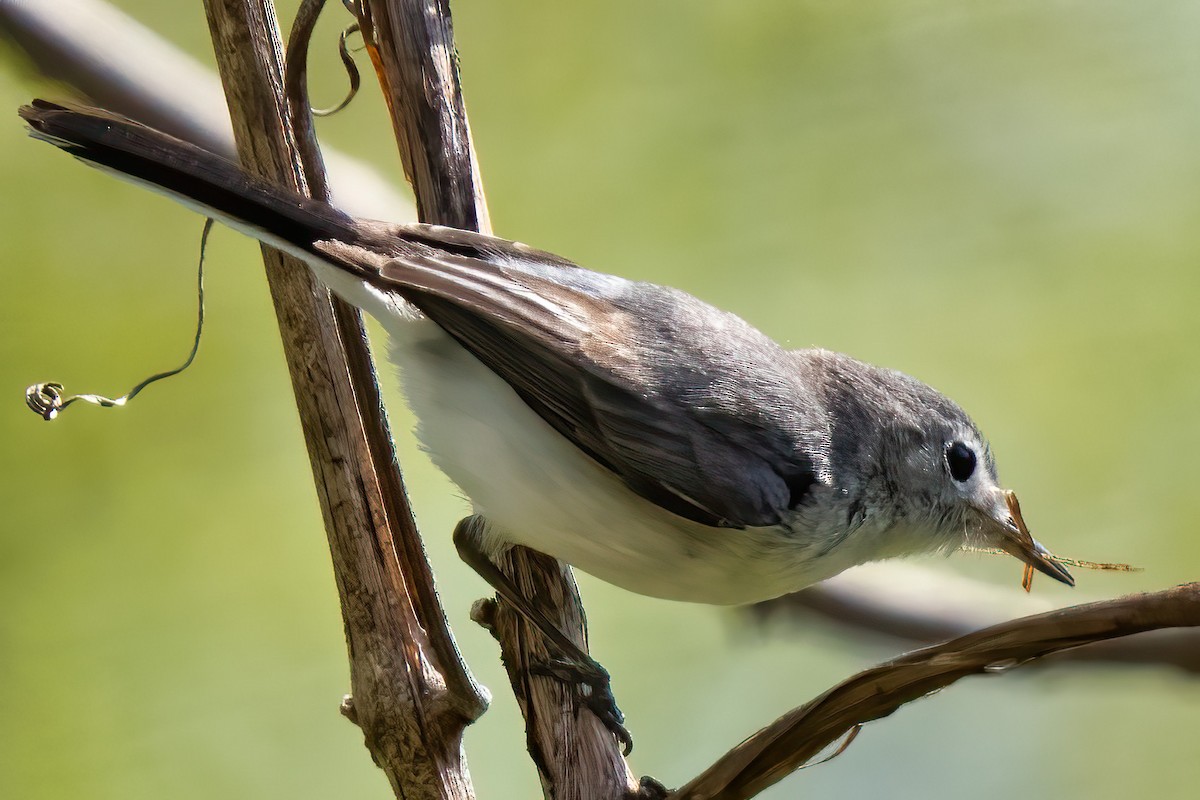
(999, 199)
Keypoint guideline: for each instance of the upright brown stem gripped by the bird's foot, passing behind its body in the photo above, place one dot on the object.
(412, 46)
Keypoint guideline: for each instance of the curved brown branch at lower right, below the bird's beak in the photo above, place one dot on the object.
(796, 738)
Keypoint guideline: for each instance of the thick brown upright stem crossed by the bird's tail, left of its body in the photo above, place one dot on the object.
(412, 696)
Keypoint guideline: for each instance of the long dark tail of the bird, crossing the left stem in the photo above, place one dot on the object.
(191, 176)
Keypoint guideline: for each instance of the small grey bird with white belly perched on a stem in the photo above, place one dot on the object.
(627, 429)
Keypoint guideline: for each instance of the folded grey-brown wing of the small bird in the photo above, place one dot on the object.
(599, 374)
